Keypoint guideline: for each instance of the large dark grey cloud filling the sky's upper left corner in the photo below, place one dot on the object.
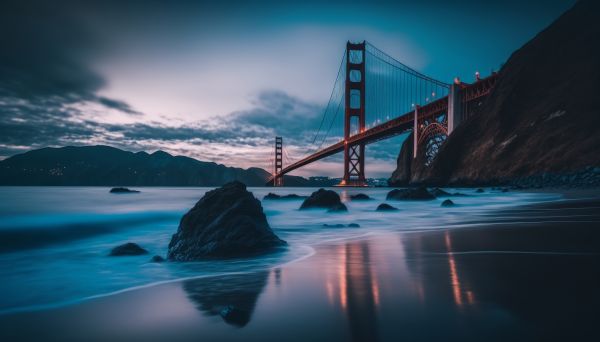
(47, 53)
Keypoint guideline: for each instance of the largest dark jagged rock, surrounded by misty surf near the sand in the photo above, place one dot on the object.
(226, 222)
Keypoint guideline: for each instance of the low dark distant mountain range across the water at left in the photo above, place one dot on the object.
(109, 166)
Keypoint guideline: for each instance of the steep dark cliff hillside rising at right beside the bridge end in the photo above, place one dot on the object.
(540, 125)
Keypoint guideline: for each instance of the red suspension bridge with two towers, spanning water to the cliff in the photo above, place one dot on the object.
(376, 97)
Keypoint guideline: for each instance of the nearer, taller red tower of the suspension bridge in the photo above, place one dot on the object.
(354, 115)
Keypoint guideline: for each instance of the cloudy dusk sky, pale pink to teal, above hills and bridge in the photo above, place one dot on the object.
(218, 80)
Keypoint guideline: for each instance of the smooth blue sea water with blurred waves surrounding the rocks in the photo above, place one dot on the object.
(55, 241)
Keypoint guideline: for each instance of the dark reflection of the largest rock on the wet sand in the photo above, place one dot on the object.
(232, 297)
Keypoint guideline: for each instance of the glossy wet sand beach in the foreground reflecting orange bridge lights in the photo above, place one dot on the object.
(531, 273)
